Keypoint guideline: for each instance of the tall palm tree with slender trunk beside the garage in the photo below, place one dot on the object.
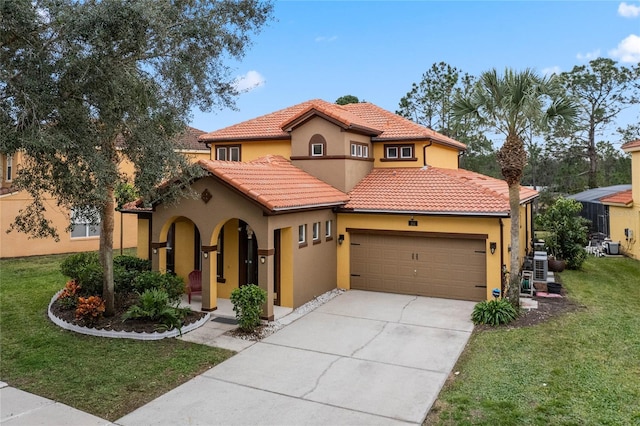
(512, 104)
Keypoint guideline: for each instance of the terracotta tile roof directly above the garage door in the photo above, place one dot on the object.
(433, 190)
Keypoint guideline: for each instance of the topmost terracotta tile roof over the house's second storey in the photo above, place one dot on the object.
(363, 117)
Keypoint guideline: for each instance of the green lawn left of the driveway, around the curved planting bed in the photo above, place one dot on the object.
(105, 377)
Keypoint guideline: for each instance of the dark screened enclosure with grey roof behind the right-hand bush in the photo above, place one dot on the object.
(594, 210)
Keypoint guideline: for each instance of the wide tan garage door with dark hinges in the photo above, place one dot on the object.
(452, 268)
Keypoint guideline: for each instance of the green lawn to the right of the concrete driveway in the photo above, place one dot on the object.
(581, 368)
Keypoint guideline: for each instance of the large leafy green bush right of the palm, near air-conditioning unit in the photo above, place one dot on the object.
(567, 232)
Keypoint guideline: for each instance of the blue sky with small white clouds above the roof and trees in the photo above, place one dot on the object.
(375, 50)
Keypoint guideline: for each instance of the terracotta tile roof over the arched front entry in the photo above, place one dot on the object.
(275, 183)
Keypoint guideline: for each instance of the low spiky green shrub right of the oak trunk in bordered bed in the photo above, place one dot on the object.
(154, 305)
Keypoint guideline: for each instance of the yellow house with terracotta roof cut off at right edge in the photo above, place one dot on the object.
(624, 208)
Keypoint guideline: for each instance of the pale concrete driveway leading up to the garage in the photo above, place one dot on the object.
(361, 358)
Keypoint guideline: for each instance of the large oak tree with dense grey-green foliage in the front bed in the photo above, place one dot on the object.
(85, 85)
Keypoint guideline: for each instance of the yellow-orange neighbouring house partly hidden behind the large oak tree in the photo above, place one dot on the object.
(84, 236)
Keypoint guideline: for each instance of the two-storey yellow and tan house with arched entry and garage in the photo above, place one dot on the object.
(318, 196)
